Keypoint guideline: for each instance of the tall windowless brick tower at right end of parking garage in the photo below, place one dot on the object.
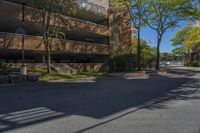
(120, 31)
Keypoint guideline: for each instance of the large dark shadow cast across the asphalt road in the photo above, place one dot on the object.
(29, 104)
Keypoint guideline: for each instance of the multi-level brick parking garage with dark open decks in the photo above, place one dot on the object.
(92, 37)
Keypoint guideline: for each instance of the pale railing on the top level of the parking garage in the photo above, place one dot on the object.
(92, 7)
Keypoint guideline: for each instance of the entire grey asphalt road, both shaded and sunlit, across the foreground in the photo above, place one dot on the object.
(126, 103)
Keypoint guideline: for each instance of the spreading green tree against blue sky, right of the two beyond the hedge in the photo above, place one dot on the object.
(163, 15)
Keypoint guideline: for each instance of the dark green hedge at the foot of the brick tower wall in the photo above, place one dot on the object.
(122, 62)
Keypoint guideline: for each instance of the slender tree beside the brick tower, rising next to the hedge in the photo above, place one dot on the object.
(137, 10)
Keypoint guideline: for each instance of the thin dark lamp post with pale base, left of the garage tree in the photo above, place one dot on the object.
(23, 69)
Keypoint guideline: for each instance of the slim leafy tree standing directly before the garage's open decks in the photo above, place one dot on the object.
(50, 14)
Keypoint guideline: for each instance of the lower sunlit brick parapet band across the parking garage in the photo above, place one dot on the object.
(34, 44)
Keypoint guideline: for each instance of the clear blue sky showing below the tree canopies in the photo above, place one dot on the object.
(150, 36)
